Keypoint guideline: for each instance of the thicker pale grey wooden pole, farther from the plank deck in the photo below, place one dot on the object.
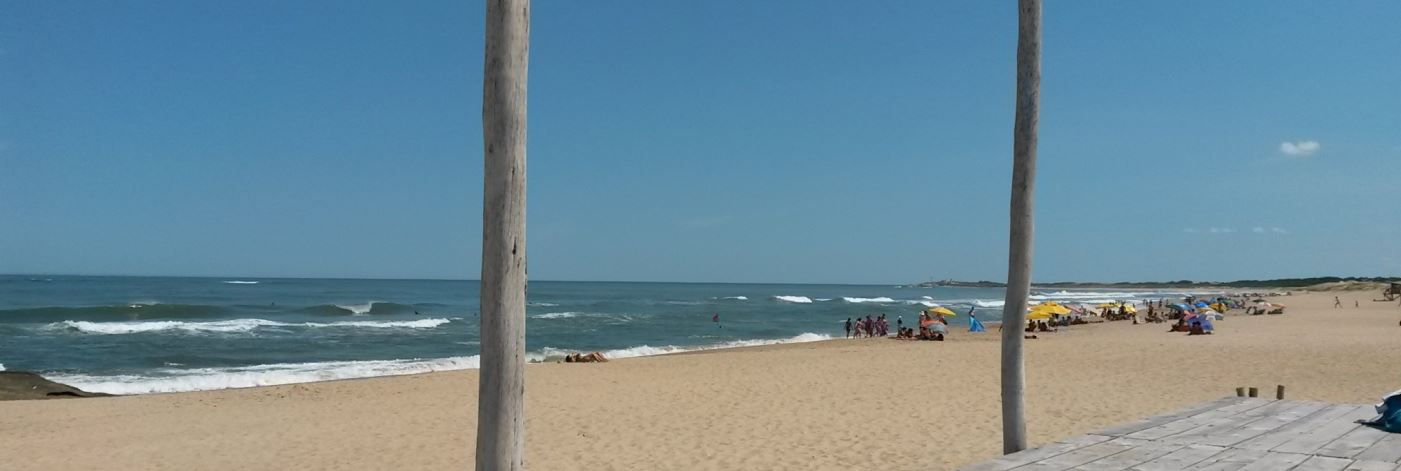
(501, 411)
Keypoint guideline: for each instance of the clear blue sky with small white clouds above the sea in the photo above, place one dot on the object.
(703, 141)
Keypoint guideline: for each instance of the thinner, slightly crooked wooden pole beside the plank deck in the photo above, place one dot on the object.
(1019, 252)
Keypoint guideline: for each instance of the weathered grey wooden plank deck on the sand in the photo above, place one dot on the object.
(1229, 434)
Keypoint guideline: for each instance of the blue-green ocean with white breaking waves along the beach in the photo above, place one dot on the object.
(138, 336)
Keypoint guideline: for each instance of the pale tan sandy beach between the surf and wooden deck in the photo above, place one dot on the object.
(827, 406)
